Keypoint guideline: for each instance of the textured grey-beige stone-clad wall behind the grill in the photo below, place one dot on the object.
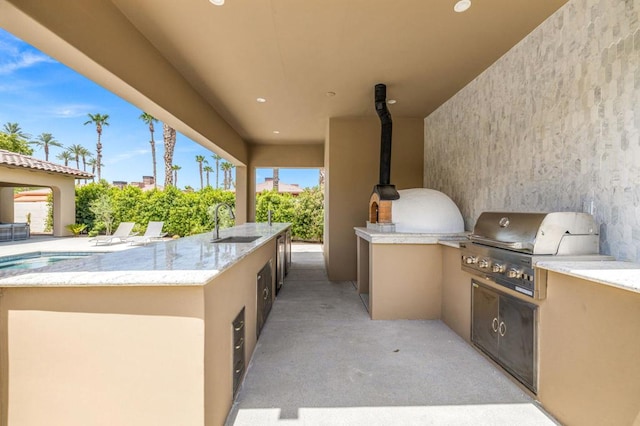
(551, 126)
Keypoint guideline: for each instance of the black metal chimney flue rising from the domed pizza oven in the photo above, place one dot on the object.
(384, 187)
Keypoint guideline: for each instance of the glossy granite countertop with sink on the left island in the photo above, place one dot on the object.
(189, 261)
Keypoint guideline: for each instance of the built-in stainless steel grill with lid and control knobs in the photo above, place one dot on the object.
(505, 247)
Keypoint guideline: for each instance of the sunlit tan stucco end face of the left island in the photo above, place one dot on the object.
(118, 355)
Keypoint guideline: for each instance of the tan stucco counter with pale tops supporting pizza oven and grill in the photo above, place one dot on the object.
(586, 342)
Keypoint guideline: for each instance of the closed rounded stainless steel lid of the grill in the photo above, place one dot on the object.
(566, 233)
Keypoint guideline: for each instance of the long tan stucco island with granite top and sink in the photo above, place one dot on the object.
(152, 335)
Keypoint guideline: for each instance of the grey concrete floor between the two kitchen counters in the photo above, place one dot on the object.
(320, 360)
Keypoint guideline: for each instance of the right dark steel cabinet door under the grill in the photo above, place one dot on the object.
(517, 339)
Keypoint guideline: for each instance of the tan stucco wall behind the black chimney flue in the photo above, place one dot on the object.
(352, 161)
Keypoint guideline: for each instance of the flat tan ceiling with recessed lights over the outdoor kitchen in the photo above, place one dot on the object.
(293, 53)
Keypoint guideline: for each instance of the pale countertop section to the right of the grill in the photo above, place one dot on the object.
(623, 275)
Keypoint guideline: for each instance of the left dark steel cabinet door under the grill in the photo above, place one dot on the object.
(485, 321)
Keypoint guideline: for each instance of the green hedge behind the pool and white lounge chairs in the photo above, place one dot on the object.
(188, 213)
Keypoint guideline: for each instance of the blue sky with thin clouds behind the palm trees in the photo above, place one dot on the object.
(43, 95)
